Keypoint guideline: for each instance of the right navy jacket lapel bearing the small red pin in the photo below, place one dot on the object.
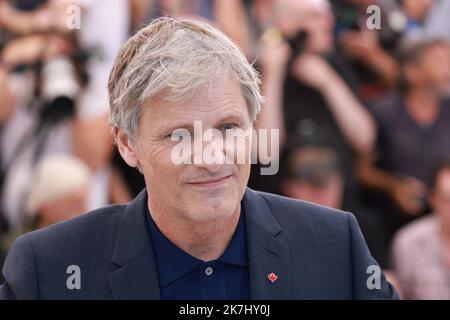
(266, 253)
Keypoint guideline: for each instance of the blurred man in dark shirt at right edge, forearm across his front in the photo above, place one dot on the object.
(413, 136)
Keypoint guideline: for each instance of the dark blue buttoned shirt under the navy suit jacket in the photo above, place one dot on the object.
(182, 276)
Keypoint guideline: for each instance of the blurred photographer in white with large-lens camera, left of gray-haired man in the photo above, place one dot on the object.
(60, 78)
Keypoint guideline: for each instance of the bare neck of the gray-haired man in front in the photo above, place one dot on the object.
(205, 240)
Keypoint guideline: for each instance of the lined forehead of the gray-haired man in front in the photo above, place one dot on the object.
(210, 101)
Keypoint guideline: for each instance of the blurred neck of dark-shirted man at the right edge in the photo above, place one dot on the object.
(423, 105)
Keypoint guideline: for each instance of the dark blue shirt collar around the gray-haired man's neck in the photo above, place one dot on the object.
(173, 263)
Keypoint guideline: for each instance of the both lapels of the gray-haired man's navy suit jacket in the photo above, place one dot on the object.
(136, 277)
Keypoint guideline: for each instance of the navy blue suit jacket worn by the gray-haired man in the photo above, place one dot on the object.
(316, 252)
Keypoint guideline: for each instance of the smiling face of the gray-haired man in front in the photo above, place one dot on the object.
(196, 192)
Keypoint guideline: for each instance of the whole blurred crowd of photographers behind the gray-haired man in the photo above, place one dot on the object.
(363, 114)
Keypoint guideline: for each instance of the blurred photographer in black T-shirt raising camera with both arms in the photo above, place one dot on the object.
(307, 84)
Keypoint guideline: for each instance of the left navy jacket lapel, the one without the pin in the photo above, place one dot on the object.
(136, 277)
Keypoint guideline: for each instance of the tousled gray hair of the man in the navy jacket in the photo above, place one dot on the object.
(170, 58)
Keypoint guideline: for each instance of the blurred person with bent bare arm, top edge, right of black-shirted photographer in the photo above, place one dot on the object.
(368, 50)
